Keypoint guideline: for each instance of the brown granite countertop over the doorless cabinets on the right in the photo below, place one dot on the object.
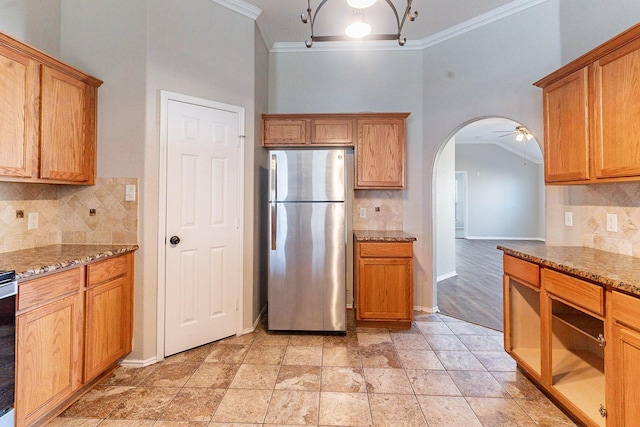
(606, 268)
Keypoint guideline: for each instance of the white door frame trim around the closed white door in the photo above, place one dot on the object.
(165, 97)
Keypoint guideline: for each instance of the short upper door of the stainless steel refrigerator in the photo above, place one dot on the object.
(307, 175)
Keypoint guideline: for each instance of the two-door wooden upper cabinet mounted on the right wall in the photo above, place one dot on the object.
(591, 115)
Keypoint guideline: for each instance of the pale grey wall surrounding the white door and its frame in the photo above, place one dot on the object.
(139, 47)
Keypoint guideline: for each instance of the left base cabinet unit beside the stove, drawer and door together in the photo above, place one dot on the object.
(48, 344)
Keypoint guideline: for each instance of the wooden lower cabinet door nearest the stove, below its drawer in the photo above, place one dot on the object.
(49, 357)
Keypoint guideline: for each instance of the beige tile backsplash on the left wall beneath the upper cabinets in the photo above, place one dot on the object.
(64, 214)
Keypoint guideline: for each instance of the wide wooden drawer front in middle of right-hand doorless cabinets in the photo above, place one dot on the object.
(583, 294)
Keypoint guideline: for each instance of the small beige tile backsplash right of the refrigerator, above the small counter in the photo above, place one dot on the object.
(387, 216)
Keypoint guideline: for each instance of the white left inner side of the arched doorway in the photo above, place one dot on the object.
(445, 218)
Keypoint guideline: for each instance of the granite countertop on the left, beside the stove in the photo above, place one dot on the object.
(31, 262)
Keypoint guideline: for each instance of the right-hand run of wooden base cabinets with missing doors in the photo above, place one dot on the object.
(577, 340)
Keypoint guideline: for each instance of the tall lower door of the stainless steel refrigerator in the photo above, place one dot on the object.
(307, 267)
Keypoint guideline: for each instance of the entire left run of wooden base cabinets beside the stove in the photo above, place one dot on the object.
(72, 327)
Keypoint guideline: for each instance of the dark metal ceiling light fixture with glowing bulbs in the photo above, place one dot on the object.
(309, 17)
